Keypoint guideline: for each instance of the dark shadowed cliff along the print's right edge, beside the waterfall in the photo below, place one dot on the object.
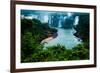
(83, 27)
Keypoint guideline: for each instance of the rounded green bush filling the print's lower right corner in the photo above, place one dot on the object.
(80, 52)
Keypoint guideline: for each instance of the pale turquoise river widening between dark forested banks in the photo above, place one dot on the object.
(65, 37)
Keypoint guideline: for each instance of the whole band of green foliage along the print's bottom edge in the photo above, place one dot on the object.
(60, 53)
